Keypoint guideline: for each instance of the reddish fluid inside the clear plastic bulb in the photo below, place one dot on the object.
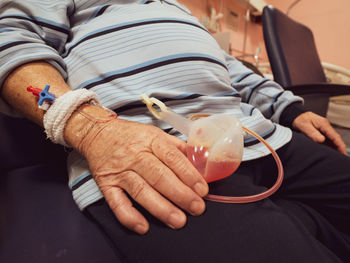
(213, 170)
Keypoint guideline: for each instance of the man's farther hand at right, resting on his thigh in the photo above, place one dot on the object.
(318, 129)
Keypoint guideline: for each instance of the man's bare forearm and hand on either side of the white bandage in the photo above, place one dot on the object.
(125, 157)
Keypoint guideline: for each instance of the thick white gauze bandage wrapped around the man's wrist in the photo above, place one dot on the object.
(57, 115)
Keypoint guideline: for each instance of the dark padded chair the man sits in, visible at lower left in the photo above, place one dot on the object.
(39, 221)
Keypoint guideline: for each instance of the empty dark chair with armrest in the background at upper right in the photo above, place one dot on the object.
(295, 62)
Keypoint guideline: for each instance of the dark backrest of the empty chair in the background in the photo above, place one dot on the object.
(291, 49)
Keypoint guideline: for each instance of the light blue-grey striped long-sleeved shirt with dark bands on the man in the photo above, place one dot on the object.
(123, 48)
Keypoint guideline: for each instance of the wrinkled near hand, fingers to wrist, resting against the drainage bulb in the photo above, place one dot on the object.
(147, 164)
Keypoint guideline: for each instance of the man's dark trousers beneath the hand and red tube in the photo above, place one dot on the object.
(307, 220)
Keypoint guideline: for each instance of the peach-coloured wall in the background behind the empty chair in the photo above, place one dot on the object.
(329, 21)
